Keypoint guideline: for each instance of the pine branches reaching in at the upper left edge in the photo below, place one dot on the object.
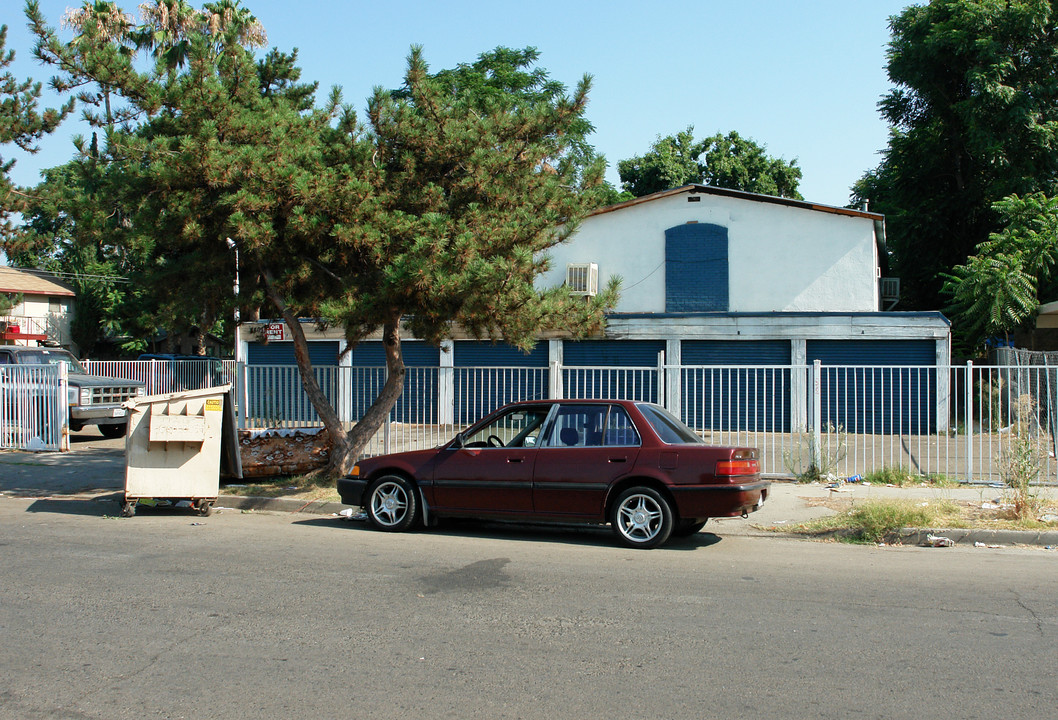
(22, 123)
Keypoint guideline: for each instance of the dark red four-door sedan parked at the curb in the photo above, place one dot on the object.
(596, 461)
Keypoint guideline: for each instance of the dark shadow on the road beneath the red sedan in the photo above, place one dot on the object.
(563, 534)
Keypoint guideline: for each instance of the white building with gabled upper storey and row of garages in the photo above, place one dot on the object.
(710, 278)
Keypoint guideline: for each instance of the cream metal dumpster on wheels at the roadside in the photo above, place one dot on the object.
(173, 449)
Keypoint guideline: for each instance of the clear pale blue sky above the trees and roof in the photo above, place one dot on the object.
(801, 79)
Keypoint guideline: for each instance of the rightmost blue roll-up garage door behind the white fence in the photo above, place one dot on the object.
(879, 386)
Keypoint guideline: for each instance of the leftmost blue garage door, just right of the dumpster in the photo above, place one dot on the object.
(275, 384)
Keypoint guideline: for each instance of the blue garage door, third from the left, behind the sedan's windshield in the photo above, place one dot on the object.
(491, 375)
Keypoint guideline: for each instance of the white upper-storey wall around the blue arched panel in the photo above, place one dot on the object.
(781, 259)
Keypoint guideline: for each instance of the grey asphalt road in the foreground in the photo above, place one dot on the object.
(250, 616)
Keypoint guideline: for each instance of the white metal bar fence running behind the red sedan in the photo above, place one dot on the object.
(955, 421)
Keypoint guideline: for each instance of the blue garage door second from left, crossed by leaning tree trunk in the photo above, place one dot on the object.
(418, 402)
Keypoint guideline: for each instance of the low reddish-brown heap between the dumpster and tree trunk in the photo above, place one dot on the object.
(283, 453)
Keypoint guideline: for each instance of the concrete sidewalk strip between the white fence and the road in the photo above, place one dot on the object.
(96, 469)
